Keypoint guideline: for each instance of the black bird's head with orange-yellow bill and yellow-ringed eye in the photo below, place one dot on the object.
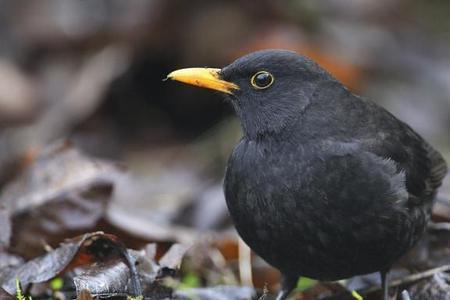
(268, 89)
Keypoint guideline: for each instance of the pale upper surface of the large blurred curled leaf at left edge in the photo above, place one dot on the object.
(59, 170)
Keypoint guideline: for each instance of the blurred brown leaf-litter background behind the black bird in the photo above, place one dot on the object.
(84, 113)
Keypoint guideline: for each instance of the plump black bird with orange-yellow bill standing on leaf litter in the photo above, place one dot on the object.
(323, 184)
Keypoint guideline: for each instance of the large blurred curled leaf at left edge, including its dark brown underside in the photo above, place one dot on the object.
(62, 193)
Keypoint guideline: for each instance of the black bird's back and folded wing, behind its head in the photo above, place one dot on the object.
(344, 117)
